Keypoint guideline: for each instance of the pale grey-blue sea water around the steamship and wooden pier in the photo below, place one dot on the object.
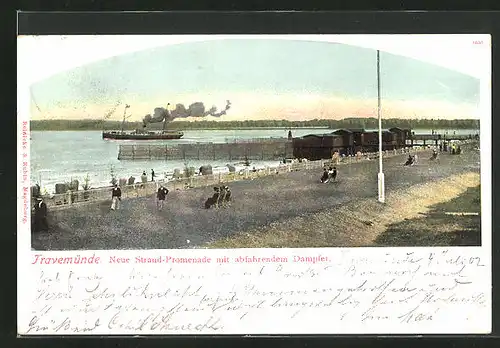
(62, 156)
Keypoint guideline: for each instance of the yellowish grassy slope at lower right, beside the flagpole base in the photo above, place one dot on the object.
(402, 221)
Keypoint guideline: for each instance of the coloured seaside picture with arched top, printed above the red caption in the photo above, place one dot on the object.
(252, 143)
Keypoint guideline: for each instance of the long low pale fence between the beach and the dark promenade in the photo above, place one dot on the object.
(78, 198)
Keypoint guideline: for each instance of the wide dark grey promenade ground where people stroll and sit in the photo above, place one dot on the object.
(257, 203)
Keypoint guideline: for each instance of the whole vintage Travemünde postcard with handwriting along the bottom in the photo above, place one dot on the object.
(254, 184)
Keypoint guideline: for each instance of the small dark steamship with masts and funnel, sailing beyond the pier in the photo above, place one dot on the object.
(141, 134)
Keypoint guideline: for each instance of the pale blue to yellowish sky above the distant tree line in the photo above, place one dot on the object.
(264, 78)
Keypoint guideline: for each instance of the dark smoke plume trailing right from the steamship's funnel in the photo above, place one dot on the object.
(196, 109)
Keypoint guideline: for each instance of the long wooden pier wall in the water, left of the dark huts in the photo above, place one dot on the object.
(262, 149)
